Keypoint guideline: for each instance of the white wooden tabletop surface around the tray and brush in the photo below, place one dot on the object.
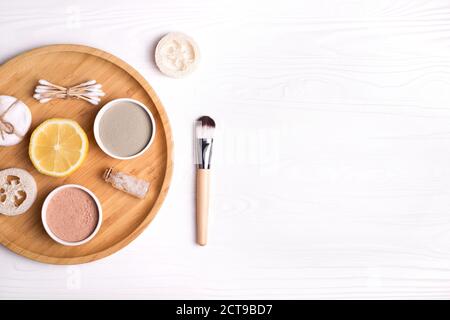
(332, 167)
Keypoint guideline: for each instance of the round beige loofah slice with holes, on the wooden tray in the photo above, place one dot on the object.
(18, 191)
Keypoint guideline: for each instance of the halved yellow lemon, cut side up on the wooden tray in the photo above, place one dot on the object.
(58, 147)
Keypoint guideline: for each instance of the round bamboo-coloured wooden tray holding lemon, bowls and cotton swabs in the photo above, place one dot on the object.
(125, 217)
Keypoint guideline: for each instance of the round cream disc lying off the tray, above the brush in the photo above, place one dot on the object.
(177, 55)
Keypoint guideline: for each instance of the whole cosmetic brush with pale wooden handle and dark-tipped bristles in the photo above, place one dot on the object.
(204, 134)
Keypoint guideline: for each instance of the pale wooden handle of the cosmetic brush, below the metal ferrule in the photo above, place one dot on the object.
(202, 205)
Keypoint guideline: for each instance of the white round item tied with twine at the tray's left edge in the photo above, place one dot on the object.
(15, 120)
